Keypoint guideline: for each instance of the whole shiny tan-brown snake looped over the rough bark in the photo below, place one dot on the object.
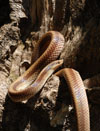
(46, 51)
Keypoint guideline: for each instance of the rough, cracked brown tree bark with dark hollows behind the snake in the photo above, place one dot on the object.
(22, 23)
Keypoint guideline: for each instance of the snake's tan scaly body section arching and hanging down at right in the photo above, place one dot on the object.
(78, 93)
